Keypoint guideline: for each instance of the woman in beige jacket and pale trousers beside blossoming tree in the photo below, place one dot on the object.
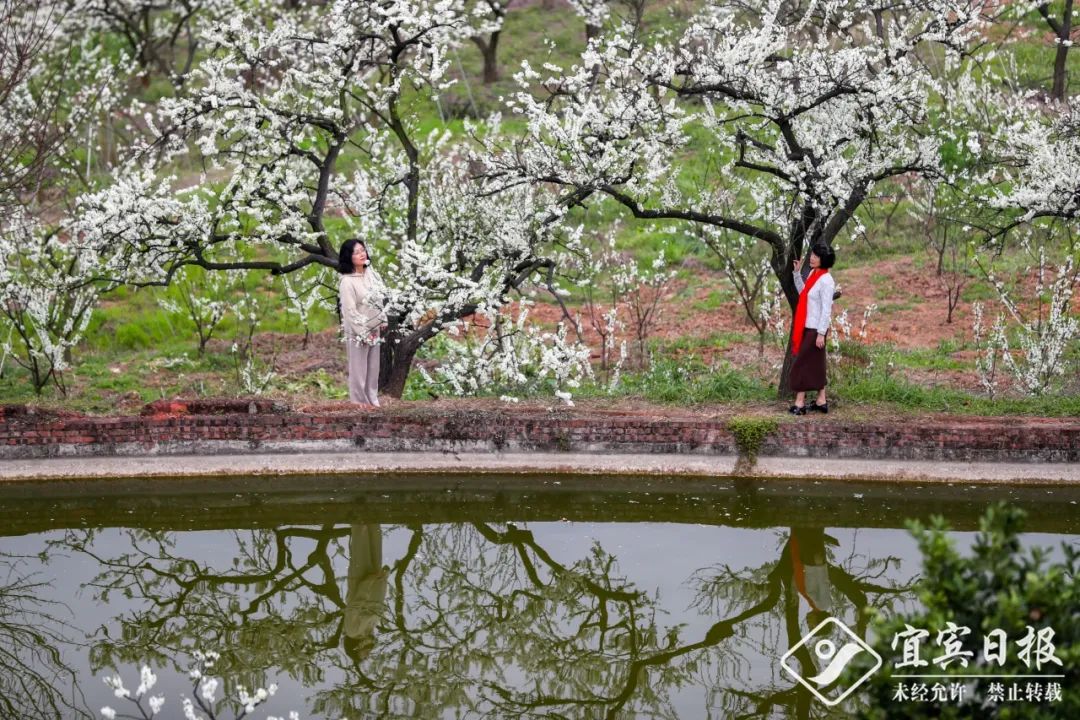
(363, 321)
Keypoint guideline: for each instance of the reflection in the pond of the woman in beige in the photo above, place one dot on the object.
(367, 592)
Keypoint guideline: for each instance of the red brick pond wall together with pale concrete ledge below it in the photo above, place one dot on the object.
(254, 438)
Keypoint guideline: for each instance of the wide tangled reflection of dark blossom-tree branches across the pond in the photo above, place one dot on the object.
(480, 618)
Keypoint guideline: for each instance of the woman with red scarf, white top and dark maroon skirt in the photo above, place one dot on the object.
(813, 317)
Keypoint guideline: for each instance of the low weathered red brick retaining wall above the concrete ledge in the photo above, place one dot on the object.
(220, 427)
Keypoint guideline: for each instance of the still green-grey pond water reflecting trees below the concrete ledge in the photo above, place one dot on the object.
(442, 597)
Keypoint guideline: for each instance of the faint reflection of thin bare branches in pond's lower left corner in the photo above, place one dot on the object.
(35, 682)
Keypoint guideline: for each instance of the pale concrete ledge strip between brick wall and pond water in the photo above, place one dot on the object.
(577, 465)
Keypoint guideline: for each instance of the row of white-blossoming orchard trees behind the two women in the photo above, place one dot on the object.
(290, 127)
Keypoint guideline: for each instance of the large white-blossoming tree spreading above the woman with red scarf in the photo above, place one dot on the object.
(796, 117)
